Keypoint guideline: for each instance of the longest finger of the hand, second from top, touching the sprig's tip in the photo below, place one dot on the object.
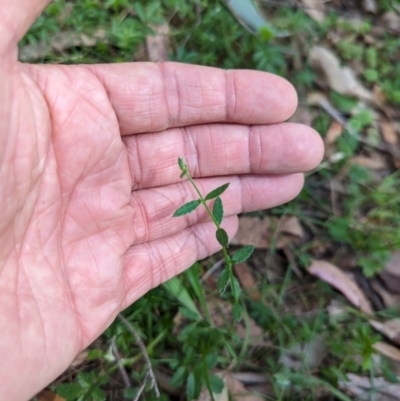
(222, 149)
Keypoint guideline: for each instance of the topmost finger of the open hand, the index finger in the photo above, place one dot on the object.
(150, 97)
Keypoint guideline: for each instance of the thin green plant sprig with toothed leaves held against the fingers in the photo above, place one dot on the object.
(226, 281)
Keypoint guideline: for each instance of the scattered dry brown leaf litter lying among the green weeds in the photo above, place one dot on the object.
(273, 236)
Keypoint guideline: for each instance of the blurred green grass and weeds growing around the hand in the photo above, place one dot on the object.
(346, 209)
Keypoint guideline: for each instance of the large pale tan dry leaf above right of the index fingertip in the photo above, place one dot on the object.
(341, 79)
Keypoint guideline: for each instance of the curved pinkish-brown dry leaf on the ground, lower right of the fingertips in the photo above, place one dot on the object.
(336, 278)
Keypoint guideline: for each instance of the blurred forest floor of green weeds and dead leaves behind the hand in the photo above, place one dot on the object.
(321, 292)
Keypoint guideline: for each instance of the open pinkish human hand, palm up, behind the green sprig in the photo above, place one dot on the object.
(89, 182)
